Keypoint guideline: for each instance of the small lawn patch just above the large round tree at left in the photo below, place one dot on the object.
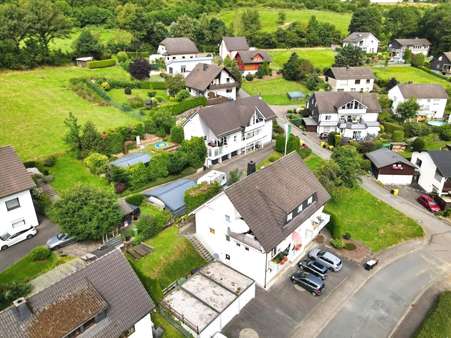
(69, 172)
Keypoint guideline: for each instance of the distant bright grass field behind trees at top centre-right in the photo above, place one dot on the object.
(268, 18)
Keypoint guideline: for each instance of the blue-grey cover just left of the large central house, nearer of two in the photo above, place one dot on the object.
(172, 194)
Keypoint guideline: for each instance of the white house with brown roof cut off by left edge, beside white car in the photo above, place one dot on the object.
(16, 205)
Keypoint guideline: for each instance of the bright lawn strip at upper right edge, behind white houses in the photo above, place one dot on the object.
(405, 74)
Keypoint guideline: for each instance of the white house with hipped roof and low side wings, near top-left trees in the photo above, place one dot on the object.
(180, 55)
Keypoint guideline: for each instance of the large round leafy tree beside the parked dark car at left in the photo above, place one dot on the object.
(87, 213)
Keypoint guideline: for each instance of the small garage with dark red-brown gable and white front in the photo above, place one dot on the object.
(391, 168)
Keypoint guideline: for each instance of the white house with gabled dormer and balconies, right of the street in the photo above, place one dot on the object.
(354, 115)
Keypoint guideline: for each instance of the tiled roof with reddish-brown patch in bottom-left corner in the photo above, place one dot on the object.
(110, 279)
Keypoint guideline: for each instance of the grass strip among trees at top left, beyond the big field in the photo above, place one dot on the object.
(104, 35)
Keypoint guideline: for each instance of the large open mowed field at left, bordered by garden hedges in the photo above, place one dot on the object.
(35, 103)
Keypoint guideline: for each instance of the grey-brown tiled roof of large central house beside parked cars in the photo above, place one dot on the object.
(265, 198)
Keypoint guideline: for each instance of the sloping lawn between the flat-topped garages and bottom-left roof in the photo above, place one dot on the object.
(173, 258)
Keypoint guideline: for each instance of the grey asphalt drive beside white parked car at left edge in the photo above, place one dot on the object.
(16, 252)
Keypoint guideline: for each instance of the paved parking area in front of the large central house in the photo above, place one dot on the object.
(276, 312)
